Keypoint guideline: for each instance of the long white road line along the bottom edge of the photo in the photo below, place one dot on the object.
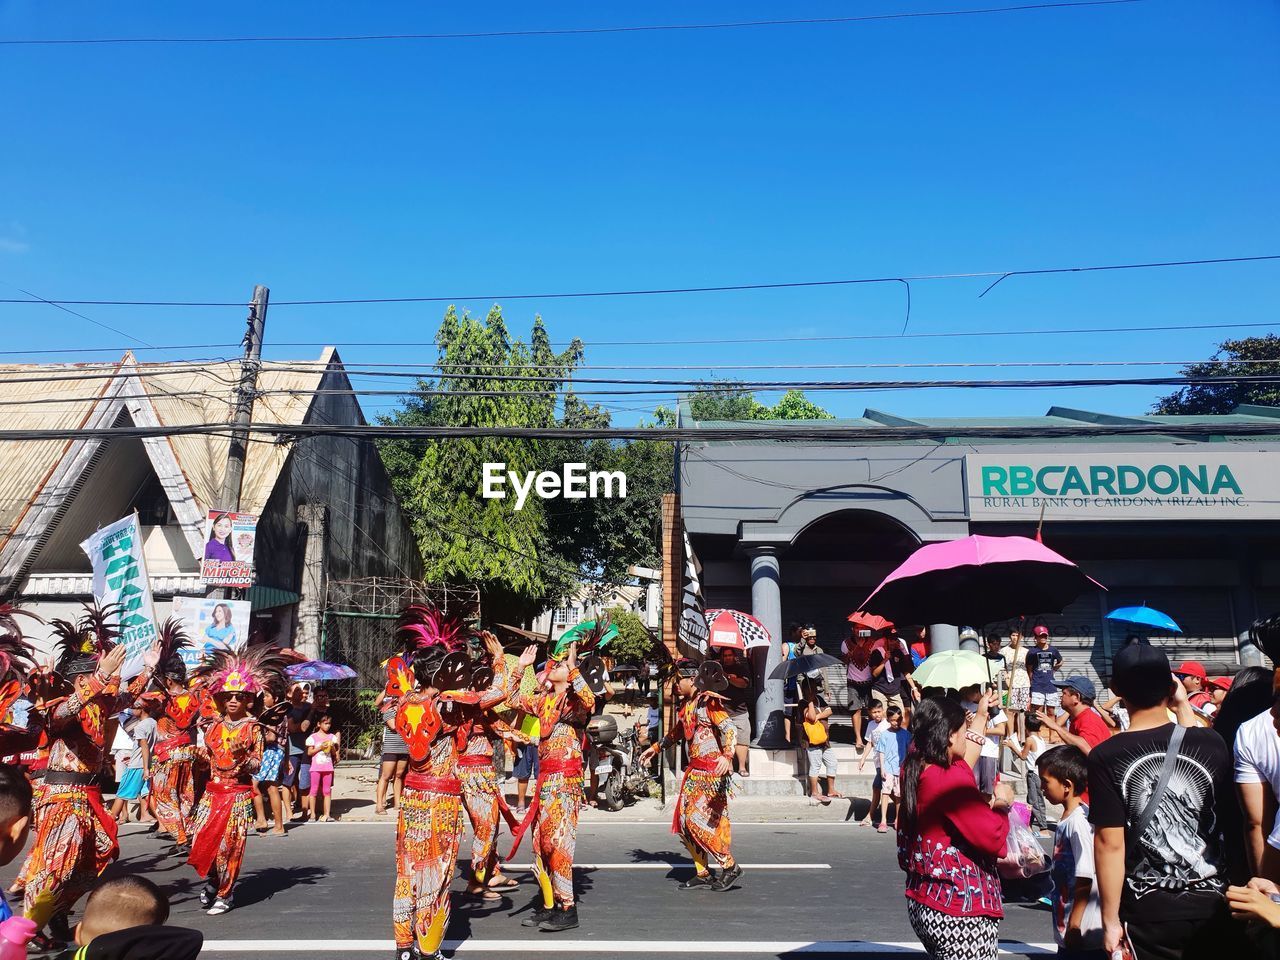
(540, 945)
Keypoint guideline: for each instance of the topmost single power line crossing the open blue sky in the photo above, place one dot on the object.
(568, 31)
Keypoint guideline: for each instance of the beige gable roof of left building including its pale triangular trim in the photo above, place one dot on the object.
(38, 479)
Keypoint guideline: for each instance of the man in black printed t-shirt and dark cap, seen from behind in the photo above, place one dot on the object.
(1162, 875)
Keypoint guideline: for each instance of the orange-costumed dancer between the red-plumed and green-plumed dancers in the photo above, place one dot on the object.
(482, 793)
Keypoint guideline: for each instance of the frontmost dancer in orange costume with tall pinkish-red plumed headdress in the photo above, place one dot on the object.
(429, 819)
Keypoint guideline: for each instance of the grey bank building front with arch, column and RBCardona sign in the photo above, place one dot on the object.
(1191, 524)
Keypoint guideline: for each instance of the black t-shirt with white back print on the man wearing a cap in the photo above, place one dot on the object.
(1177, 870)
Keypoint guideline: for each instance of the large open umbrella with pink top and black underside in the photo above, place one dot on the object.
(979, 580)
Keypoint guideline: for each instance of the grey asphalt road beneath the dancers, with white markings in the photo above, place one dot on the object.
(828, 889)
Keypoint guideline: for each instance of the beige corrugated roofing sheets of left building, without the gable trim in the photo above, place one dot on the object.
(28, 465)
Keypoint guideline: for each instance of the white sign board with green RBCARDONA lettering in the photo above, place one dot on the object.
(1122, 486)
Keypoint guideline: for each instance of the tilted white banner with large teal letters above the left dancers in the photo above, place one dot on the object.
(121, 578)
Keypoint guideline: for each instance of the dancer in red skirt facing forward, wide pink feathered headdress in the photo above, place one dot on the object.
(234, 747)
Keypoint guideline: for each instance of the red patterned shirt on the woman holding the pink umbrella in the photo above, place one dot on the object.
(950, 863)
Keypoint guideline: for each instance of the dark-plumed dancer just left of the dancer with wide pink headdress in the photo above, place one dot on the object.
(173, 789)
